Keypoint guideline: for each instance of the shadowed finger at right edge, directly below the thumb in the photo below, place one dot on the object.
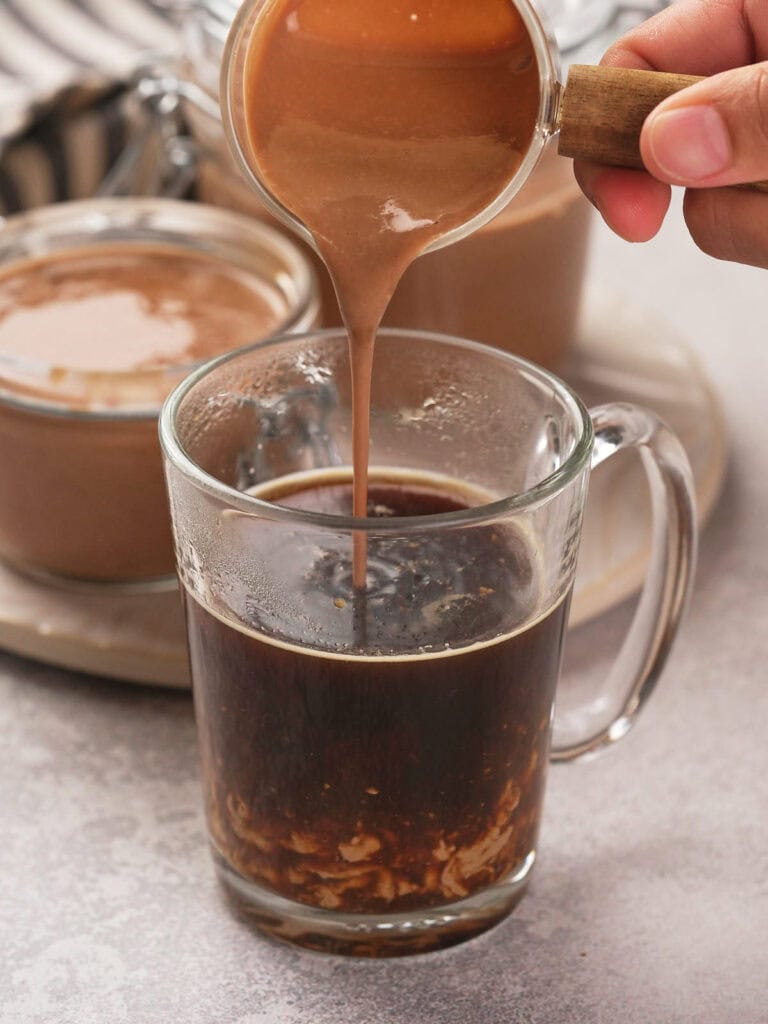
(730, 225)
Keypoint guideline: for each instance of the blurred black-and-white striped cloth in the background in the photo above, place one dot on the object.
(64, 67)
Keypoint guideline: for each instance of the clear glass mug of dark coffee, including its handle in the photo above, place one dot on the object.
(374, 762)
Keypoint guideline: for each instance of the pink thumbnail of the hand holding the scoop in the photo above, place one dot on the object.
(690, 144)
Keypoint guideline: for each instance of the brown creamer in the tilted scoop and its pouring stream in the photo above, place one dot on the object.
(382, 127)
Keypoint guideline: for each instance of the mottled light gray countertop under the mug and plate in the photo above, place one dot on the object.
(650, 903)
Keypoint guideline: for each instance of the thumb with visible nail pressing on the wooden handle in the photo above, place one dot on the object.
(712, 134)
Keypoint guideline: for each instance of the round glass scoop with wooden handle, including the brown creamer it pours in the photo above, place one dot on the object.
(381, 131)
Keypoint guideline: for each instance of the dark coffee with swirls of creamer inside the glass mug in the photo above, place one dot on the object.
(362, 772)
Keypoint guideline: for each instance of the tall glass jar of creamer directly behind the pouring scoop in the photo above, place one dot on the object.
(516, 284)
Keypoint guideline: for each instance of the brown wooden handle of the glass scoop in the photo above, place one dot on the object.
(603, 111)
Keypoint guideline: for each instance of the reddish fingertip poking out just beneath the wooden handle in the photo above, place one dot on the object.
(631, 203)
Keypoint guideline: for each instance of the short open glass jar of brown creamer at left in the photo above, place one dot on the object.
(83, 495)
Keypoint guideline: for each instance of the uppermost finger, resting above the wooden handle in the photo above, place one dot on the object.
(697, 37)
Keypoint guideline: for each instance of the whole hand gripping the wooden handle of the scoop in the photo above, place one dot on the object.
(713, 134)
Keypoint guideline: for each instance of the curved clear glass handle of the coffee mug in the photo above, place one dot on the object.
(668, 582)
